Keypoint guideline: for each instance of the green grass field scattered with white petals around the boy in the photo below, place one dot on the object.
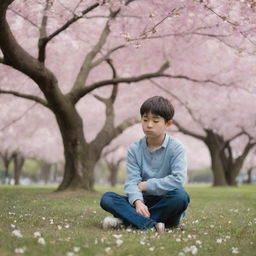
(220, 221)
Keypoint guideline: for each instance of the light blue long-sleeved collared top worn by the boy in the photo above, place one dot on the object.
(164, 169)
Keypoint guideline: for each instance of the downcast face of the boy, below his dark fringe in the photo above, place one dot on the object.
(154, 125)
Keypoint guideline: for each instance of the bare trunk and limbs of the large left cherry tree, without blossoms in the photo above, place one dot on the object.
(80, 155)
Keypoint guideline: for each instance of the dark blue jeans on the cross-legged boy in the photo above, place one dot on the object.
(167, 209)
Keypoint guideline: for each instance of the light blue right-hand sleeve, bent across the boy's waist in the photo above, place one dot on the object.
(176, 179)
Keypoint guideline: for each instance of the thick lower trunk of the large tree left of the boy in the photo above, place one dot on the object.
(79, 158)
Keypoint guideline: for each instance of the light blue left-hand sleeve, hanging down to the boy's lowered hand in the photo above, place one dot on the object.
(133, 178)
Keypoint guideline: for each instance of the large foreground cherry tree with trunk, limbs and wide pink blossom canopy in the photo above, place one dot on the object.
(198, 38)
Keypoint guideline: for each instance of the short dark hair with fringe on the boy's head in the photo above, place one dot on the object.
(158, 105)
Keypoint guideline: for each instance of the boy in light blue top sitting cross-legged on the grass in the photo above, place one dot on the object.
(156, 171)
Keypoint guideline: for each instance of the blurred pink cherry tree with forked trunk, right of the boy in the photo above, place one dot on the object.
(228, 148)
